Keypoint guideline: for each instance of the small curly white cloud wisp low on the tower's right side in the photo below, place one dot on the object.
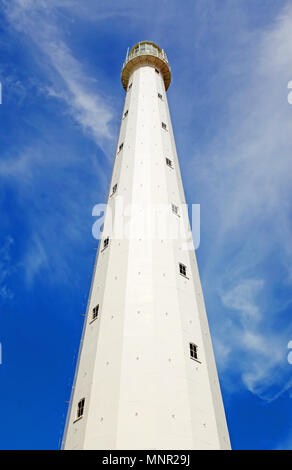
(256, 351)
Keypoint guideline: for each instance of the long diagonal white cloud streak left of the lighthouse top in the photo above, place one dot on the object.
(70, 82)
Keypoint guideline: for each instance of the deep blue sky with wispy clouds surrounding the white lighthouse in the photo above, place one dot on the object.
(61, 106)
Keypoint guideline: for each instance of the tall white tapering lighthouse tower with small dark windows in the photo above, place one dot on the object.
(146, 376)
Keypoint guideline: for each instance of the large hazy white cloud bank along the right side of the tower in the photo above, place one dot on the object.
(244, 176)
